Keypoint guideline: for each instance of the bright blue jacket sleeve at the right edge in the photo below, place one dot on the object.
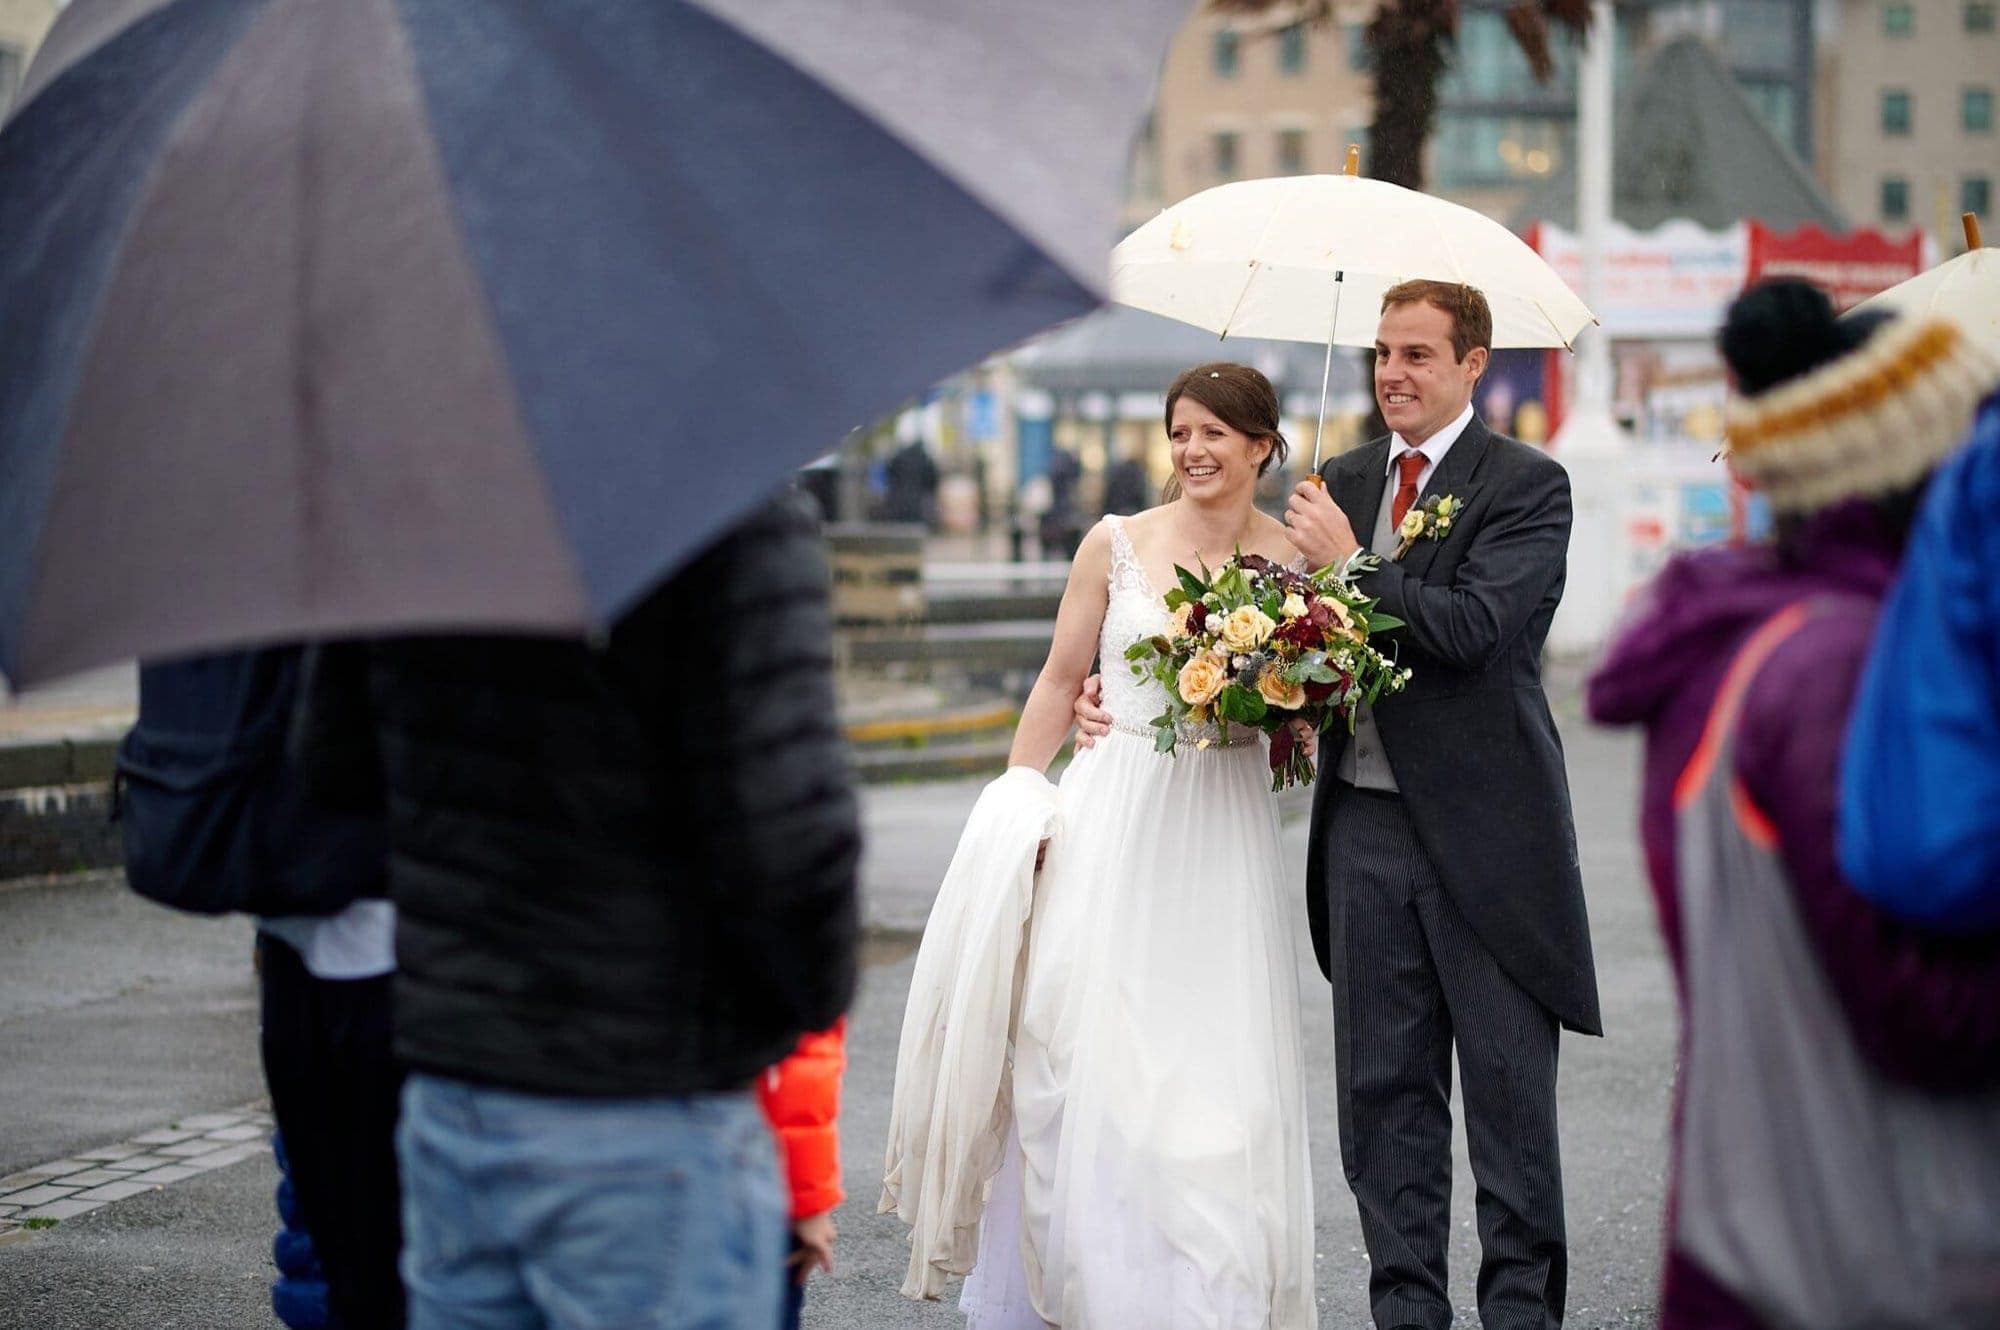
(1921, 775)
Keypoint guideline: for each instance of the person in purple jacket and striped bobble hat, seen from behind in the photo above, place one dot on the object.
(1837, 1145)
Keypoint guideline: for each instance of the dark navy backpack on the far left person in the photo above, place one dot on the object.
(215, 817)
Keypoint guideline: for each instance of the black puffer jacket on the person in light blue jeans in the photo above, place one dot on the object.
(621, 871)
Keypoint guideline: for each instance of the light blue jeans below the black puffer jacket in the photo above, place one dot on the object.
(539, 1213)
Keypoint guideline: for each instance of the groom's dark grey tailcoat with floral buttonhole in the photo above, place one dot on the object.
(1471, 739)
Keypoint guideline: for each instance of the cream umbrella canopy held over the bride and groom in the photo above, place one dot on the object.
(1277, 259)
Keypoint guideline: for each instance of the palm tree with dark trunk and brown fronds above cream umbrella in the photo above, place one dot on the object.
(1409, 47)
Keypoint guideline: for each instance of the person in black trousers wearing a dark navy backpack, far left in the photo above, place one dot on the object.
(217, 819)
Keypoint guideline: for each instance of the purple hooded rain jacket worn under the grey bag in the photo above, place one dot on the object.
(1923, 1011)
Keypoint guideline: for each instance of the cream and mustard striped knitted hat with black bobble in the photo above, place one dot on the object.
(1865, 419)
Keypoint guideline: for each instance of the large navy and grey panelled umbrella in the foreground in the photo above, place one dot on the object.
(409, 315)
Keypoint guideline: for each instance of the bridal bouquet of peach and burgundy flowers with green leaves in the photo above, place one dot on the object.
(1261, 645)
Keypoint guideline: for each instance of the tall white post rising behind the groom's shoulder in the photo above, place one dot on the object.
(1591, 443)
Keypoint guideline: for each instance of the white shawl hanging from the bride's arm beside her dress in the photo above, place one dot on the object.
(951, 1111)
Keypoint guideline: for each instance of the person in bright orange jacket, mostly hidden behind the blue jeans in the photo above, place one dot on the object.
(803, 1101)
